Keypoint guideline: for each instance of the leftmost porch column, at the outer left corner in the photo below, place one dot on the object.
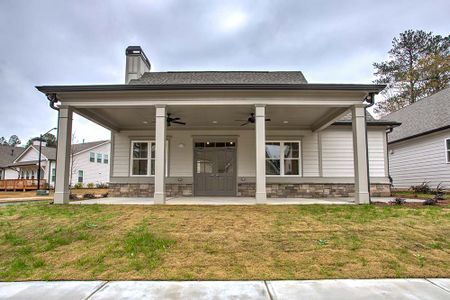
(63, 156)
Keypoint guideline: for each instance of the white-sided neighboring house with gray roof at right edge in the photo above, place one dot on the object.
(419, 149)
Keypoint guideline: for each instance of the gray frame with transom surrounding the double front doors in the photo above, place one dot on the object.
(215, 138)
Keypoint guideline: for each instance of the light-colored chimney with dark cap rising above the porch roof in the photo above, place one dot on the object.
(137, 63)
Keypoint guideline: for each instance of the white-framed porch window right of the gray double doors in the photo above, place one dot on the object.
(283, 158)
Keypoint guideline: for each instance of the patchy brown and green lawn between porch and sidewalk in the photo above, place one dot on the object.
(83, 242)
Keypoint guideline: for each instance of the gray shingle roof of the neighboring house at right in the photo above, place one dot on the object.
(426, 115)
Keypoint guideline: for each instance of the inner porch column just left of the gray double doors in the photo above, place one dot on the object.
(160, 153)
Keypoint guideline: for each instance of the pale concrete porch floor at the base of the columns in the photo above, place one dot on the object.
(228, 201)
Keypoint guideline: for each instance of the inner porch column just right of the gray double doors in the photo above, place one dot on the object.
(260, 128)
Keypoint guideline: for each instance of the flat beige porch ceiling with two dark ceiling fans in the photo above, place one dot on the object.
(209, 117)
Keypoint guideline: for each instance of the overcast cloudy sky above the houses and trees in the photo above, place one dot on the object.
(83, 42)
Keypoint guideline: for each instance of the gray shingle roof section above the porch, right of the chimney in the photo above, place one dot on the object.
(221, 77)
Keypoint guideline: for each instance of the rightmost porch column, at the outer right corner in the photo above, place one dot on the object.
(360, 162)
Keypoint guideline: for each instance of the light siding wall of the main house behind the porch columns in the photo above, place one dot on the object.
(336, 142)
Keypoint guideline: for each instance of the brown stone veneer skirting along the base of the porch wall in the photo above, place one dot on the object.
(274, 190)
